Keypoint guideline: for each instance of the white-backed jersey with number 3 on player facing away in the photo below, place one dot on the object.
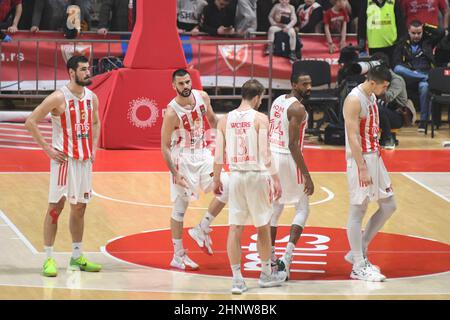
(242, 142)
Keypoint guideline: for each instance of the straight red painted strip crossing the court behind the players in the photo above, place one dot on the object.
(318, 160)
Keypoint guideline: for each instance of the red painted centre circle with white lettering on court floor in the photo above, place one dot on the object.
(319, 254)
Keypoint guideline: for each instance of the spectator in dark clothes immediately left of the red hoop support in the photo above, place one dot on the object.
(114, 16)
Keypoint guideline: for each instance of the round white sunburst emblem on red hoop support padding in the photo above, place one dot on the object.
(142, 113)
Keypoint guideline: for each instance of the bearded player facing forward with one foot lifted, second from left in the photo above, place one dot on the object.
(184, 148)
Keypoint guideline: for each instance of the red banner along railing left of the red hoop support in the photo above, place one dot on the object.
(46, 60)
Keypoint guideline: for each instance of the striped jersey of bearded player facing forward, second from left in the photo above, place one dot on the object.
(191, 132)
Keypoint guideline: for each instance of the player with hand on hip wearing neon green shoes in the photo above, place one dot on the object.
(75, 132)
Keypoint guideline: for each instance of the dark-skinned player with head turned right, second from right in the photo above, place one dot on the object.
(288, 121)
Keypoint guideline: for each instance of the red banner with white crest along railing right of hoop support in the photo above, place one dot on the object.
(246, 60)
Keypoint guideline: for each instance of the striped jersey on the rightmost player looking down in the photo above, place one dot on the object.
(368, 123)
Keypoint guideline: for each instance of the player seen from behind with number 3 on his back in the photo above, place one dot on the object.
(243, 133)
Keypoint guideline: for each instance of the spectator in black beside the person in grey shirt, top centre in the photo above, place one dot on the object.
(218, 18)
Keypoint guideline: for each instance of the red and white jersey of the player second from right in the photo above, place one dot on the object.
(279, 125)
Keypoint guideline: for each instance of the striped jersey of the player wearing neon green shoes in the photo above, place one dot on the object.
(72, 130)
